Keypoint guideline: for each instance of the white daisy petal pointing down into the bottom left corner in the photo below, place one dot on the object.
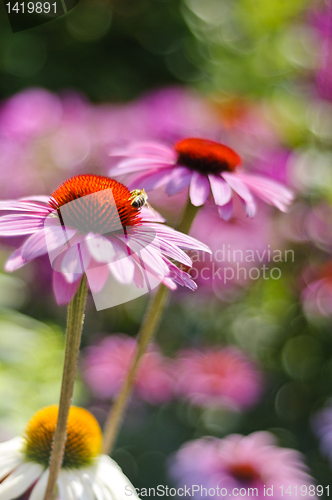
(20, 480)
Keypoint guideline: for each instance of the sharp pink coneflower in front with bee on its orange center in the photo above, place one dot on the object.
(107, 236)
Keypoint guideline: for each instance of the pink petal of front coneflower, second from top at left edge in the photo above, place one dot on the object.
(18, 224)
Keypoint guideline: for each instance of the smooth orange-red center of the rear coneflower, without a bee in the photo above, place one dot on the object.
(206, 157)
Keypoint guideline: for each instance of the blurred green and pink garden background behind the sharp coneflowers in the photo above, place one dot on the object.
(253, 74)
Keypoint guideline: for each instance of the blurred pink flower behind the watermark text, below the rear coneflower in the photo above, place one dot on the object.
(239, 249)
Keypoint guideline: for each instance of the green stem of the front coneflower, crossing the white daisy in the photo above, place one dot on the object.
(75, 318)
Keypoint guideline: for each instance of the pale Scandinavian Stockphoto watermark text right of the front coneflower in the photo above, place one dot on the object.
(228, 264)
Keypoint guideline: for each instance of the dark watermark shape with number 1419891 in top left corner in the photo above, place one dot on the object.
(26, 14)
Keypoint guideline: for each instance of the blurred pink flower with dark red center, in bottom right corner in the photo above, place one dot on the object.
(237, 464)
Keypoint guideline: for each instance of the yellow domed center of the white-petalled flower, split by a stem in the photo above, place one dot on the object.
(83, 443)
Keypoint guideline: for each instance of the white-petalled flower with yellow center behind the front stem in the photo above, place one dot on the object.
(85, 473)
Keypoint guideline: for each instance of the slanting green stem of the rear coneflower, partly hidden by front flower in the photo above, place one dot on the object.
(146, 332)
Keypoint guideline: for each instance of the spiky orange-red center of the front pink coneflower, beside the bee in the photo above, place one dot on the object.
(108, 206)
